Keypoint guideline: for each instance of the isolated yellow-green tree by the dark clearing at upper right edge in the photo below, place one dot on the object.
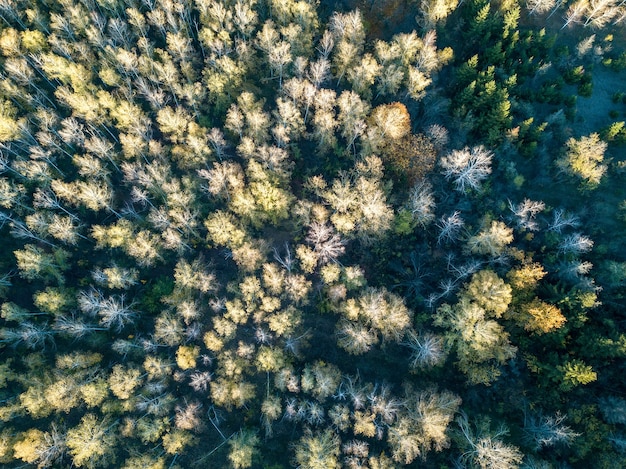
(583, 159)
